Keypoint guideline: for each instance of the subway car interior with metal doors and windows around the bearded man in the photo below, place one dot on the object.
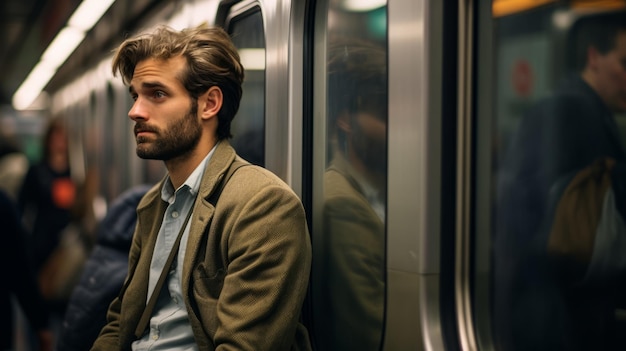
(459, 162)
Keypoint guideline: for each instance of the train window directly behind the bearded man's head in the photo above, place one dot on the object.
(248, 127)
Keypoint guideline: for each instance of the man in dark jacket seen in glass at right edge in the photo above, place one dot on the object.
(560, 136)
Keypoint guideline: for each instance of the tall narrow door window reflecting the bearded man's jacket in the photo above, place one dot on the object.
(350, 175)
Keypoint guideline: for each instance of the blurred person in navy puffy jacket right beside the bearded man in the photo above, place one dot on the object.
(103, 274)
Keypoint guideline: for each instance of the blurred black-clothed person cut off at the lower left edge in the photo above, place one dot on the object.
(20, 282)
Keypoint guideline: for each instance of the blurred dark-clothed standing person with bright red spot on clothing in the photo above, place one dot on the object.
(53, 206)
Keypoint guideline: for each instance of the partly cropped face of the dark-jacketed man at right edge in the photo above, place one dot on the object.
(610, 72)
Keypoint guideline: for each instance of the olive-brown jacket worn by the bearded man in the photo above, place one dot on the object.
(246, 269)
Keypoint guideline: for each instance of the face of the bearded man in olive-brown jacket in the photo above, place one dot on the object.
(166, 118)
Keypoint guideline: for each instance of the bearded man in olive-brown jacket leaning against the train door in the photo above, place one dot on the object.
(241, 272)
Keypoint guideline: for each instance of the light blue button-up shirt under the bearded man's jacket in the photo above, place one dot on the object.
(169, 327)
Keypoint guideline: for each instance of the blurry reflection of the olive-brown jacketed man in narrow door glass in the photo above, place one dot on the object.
(354, 199)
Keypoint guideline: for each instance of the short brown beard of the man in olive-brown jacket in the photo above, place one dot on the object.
(179, 138)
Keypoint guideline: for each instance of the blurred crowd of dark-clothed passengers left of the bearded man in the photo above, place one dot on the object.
(65, 263)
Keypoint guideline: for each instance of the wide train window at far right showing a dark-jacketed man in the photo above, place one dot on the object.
(550, 133)
